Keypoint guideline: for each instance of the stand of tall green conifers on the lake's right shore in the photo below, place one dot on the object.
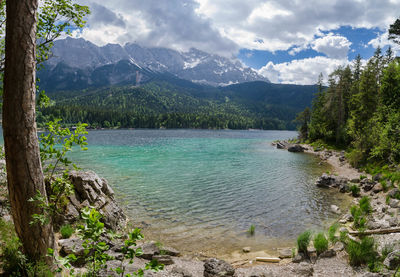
(360, 110)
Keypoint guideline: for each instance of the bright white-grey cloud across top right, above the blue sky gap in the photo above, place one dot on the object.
(283, 24)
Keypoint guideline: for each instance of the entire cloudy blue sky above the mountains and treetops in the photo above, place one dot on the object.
(287, 41)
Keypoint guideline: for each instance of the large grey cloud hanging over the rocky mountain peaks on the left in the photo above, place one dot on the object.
(172, 24)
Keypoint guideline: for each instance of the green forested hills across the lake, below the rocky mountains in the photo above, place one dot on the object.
(169, 102)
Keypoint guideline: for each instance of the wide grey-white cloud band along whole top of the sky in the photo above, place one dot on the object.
(225, 26)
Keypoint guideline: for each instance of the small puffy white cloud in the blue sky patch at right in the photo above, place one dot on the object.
(334, 46)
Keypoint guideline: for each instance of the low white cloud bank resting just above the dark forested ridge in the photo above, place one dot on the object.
(301, 72)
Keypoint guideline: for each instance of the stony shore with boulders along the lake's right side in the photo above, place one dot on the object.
(383, 223)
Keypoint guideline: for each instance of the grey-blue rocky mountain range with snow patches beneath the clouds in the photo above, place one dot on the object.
(76, 64)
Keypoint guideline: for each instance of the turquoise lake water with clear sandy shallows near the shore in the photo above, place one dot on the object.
(200, 190)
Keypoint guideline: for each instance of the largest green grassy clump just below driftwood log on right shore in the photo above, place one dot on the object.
(363, 252)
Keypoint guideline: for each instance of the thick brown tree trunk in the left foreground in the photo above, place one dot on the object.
(24, 170)
